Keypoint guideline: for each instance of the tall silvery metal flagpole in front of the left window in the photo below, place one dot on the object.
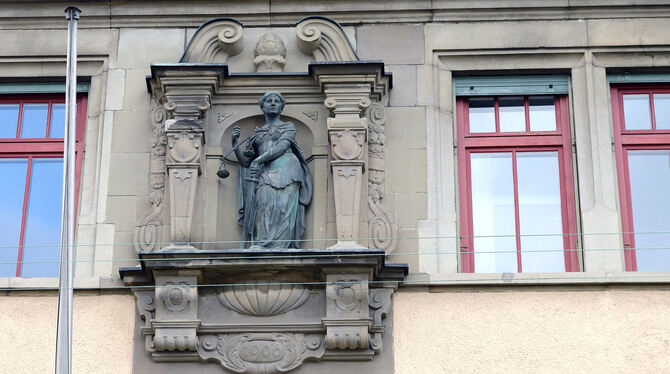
(64, 334)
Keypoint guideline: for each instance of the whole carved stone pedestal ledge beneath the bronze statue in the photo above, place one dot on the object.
(229, 306)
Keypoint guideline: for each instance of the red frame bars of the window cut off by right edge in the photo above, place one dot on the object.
(625, 140)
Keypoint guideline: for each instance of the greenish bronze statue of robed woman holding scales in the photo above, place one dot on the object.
(275, 185)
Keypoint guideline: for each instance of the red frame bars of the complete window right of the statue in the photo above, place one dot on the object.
(513, 142)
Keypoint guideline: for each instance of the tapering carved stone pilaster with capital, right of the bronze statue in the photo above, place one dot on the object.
(350, 89)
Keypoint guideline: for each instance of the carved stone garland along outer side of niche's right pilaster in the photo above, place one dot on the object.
(380, 228)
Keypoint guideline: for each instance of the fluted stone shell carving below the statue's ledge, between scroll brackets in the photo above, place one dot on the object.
(263, 299)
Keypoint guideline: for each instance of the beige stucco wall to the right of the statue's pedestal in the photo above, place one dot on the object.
(622, 330)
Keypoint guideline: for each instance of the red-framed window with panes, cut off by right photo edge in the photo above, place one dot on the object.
(641, 119)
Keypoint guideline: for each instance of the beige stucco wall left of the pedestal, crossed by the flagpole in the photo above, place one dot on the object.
(102, 334)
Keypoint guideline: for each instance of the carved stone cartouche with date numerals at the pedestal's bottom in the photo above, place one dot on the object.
(261, 353)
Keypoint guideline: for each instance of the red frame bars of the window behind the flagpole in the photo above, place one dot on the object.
(44, 147)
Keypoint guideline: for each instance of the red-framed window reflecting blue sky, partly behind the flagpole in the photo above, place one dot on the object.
(31, 165)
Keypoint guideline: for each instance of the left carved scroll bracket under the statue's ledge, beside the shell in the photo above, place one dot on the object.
(176, 323)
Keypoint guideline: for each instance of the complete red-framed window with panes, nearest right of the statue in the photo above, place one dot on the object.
(517, 205)
